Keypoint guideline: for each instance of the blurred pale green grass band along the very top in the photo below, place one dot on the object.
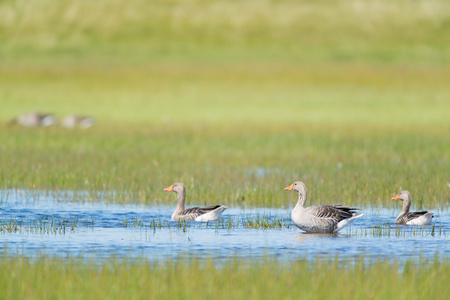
(249, 30)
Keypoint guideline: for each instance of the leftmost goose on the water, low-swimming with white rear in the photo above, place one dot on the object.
(201, 214)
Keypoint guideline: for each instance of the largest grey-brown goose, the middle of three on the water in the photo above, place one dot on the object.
(319, 218)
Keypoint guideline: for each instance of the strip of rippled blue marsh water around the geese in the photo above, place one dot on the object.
(36, 224)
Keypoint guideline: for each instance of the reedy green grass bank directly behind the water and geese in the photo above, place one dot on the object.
(234, 165)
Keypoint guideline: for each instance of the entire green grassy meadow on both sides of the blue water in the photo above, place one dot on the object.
(237, 99)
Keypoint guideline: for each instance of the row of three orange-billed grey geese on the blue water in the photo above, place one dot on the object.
(312, 219)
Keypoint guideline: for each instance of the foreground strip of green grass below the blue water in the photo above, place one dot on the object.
(53, 278)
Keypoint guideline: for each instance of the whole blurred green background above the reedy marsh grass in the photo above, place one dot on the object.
(228, 61)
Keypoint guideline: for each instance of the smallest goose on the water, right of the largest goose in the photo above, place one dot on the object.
(411, 218)
